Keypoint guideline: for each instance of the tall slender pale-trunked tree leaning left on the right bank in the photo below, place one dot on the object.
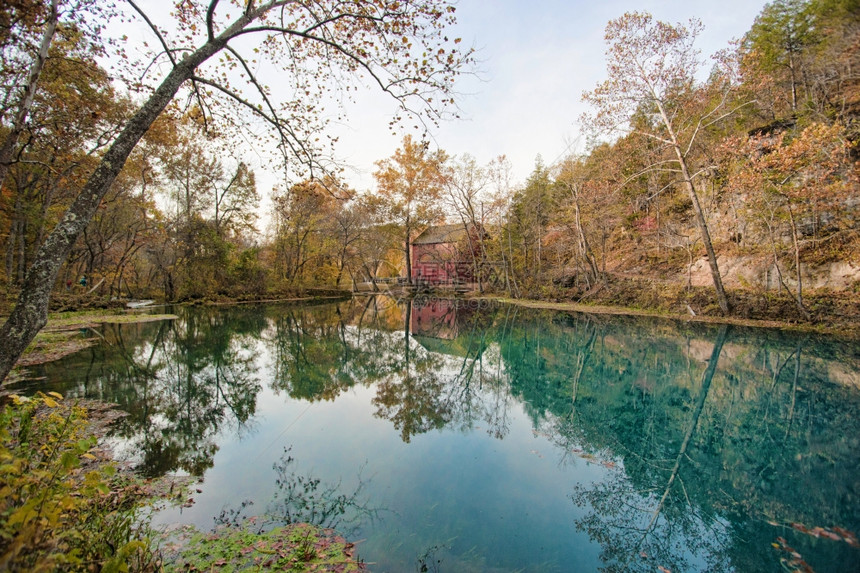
(652, 69)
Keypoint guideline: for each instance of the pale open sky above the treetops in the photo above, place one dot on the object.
(537, 57)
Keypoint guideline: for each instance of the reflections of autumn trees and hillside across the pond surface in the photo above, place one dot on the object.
(712, 442)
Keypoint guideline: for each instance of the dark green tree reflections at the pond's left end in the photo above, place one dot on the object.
(182, 383)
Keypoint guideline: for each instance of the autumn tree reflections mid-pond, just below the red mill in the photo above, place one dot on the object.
(422, 382)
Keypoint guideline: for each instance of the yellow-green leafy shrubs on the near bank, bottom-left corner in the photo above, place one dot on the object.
(61, 508)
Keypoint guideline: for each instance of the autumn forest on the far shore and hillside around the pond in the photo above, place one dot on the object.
(727, 186)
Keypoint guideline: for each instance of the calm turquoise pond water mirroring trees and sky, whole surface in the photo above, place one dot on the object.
(496, 438)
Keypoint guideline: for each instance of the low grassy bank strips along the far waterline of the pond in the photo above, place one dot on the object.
(836, 314)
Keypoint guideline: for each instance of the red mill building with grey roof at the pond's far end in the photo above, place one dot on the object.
(445, 254)
